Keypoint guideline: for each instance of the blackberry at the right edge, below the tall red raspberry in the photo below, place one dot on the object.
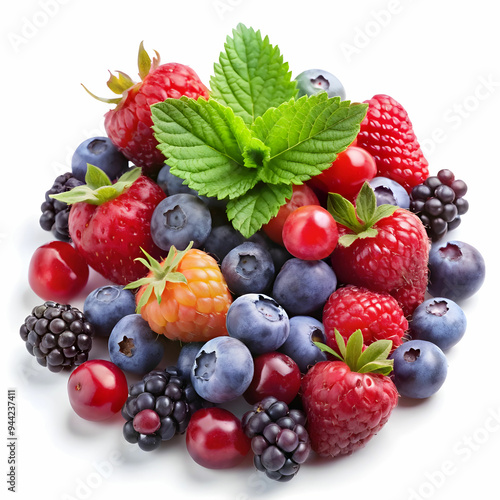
(439, 203)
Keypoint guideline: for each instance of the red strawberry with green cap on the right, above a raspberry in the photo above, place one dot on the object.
(384, 249)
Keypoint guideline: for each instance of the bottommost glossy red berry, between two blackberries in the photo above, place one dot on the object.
(215, 439)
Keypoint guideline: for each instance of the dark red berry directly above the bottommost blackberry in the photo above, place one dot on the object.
(275, 374)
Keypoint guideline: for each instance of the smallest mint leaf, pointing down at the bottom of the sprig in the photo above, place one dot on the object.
(256, 207)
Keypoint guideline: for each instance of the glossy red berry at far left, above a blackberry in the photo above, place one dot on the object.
(57, 272)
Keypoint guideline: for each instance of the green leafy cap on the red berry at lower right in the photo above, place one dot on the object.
(374, 359)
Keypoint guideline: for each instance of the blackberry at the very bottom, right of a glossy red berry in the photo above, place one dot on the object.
(280, 441)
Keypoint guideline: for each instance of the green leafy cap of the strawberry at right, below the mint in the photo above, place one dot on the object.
(360, 219)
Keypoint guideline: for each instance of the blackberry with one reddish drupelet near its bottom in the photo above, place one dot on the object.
(158, 407)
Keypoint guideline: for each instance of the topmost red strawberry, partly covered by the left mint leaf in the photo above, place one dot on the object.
(129, 124)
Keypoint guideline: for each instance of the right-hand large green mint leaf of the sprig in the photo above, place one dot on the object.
(305, 136)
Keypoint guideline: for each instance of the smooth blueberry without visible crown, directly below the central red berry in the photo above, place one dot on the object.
(303, 286)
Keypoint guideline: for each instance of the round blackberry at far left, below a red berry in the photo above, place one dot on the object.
(57, 335)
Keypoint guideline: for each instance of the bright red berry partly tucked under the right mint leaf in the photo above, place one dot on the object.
(348, 173)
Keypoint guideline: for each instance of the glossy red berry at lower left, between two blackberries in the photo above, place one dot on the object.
(97, 390)
